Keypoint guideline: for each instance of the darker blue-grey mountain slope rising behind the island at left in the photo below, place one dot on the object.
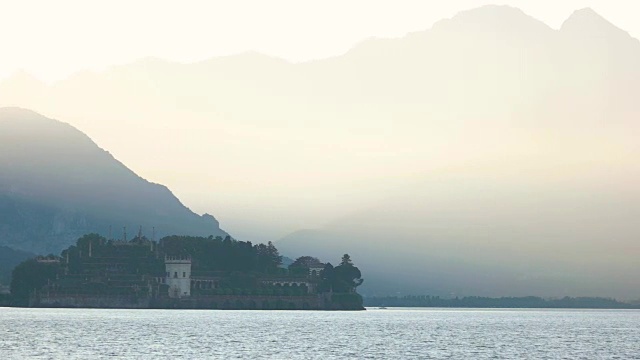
(56, 185)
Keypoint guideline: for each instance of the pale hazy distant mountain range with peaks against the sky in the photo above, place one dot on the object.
(490, 154)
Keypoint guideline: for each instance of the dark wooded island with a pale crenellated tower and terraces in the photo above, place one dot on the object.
(183, 272)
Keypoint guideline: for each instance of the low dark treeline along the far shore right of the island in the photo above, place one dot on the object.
(503, 302)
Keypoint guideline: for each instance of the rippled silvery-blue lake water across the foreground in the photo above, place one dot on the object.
(373, 334)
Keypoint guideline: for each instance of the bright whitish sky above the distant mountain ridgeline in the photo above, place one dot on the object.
(52, 39)
